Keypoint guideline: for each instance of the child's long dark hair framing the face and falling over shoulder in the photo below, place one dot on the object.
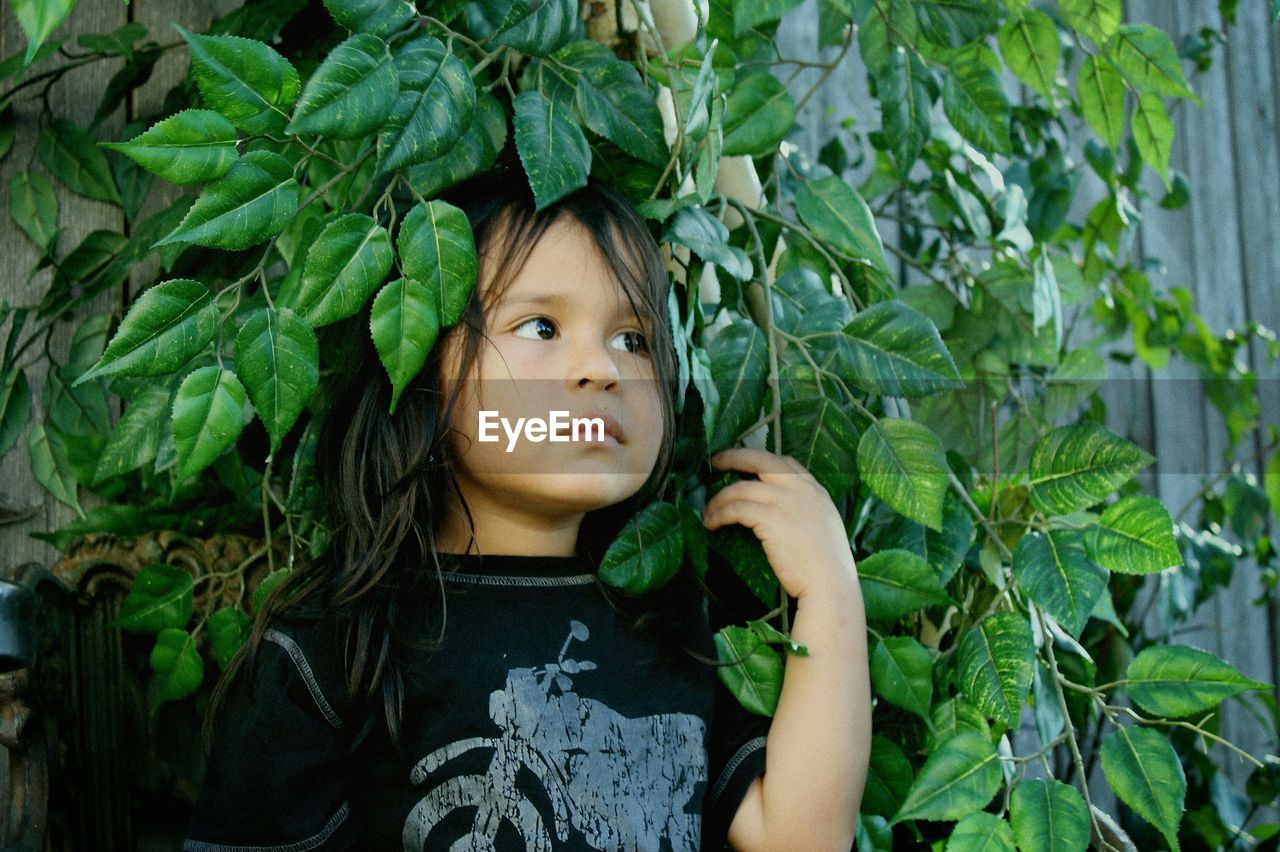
(386, 479)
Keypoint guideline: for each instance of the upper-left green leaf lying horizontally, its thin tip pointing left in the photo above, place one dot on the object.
(193, 146)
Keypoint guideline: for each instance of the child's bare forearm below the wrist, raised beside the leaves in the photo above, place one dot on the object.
(820, 740)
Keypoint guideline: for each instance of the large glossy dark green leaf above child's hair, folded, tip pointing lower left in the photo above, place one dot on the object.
(433, 109)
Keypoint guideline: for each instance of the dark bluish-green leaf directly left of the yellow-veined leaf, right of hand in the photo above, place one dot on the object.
(1057, 572)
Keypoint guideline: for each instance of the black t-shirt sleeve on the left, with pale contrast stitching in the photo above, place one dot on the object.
(273, 780)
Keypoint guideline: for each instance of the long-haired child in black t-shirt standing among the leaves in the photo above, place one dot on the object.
(555, 713)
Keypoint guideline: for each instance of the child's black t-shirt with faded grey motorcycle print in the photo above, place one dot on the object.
(545, 722)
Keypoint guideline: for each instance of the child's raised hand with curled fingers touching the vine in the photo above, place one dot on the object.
(790, 514)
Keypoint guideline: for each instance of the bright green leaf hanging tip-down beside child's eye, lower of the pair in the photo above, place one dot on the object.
(405, 324)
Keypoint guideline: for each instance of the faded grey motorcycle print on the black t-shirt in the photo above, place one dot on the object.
(602, 772)
